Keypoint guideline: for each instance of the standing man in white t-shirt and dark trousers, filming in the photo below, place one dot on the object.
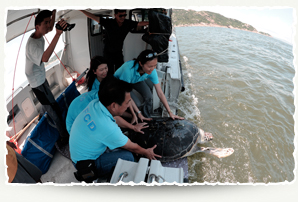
(35, 70)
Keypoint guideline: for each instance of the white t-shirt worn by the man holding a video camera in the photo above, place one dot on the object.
(35, 70)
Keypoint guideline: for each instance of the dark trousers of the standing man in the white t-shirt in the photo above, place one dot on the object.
(49, 104)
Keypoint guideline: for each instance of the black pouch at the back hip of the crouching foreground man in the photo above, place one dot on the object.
(86, 171)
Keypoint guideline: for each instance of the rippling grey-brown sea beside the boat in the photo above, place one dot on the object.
(239, 86)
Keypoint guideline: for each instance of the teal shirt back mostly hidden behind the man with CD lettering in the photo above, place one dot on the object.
(77, 106)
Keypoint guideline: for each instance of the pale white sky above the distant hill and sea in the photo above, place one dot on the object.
(276, 21)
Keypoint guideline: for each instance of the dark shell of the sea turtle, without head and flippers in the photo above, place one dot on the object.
(174, 138)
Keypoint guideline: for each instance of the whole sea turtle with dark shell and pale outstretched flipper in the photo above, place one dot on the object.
(175, 139)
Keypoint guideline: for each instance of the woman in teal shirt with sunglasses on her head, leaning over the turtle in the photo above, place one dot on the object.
(136, 72)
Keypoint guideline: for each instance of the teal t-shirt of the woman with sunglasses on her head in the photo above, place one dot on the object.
(130, 74)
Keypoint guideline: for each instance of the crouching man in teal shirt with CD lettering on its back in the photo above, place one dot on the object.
(94, 130)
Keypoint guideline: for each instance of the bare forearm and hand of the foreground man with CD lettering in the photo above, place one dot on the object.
(135, 148)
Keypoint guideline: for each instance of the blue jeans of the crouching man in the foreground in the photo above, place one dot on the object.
(107, 161)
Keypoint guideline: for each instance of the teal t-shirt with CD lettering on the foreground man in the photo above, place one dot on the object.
(93, 131)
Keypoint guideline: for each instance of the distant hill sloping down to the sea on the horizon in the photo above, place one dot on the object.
(183, 18)
